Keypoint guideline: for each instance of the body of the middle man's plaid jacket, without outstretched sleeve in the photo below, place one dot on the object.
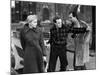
(58, 36)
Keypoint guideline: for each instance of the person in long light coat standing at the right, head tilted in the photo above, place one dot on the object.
(81, 42)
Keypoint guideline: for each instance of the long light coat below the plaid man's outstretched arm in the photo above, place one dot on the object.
(82, 48)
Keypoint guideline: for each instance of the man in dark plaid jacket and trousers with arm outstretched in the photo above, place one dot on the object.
(58, 42)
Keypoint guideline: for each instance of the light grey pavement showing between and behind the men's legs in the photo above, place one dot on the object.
(91, 65)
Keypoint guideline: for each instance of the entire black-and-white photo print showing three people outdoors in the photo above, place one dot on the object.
(50, 37)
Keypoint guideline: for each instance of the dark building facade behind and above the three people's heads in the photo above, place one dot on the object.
(46, 11)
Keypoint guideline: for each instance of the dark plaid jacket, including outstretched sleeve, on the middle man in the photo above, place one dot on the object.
(58, 36)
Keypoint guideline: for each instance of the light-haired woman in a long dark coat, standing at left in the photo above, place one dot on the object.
(33, 45)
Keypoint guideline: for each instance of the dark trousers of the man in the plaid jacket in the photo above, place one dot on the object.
(58, 51)
